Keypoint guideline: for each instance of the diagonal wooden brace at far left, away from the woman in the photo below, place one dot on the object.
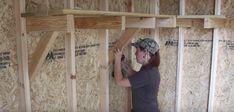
(38, 57)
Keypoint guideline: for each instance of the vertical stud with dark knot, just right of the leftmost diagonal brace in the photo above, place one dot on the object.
(70, 60)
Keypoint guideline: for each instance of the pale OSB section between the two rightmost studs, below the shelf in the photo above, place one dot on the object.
(195, 79)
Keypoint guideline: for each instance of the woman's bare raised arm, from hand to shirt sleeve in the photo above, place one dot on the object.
(119, 79)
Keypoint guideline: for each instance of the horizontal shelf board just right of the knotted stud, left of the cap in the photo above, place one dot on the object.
(98, 22)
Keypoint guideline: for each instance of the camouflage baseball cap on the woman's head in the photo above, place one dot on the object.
(147, 43)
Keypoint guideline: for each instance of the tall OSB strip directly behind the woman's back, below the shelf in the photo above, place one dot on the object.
(167, 68)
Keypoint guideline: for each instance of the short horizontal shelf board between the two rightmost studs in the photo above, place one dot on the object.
(190, 23)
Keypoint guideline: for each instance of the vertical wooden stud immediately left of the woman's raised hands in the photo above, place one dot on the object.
(103, 60)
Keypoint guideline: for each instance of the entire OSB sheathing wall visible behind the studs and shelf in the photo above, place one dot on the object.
(49, 91)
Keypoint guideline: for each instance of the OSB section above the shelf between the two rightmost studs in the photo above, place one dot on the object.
(199, 7)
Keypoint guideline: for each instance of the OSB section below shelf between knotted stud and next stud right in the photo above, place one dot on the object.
(87, 70)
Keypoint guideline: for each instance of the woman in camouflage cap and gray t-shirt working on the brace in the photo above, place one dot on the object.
(144, 83)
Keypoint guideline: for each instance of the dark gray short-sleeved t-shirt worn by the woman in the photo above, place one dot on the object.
(145, 85)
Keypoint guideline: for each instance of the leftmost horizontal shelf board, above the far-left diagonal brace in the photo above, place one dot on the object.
(47, 23)
